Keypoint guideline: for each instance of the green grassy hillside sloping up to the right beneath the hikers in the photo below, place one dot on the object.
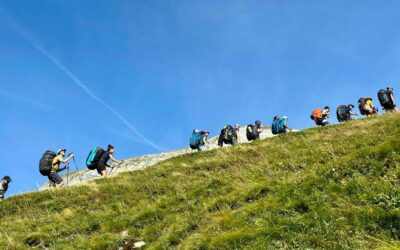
(334, 188)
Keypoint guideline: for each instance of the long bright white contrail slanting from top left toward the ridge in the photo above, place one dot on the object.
(20, 30)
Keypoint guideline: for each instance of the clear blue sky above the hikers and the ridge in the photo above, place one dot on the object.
(164, 68)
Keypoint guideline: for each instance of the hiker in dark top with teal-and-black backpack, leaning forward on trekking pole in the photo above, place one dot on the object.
(98, 159)
